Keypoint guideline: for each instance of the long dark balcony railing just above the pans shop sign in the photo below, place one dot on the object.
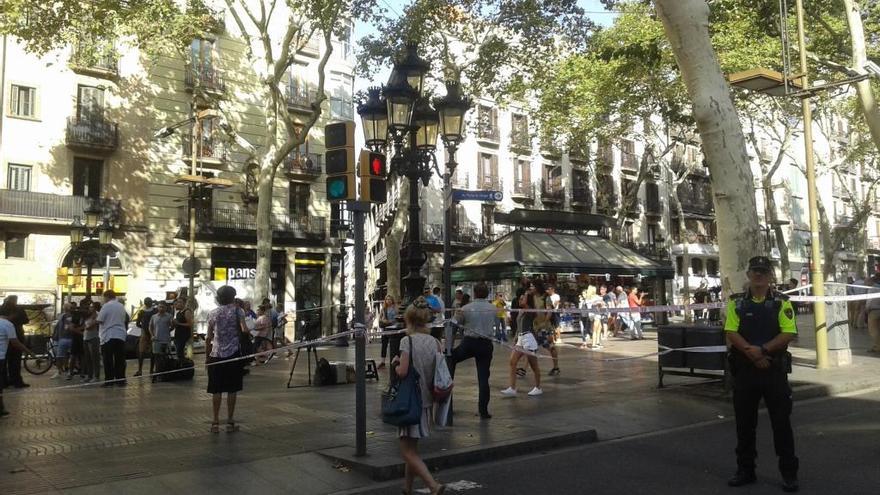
(232, 224)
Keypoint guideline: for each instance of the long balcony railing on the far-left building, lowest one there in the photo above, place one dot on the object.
(47, 206)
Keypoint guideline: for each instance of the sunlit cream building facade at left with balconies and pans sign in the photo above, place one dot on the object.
(79, 128)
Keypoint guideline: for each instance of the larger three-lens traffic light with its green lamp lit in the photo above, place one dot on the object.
(339, 161)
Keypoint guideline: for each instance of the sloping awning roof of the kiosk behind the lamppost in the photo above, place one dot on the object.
(523, 252)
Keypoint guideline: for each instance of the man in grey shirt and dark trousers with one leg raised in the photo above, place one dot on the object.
(478, 320)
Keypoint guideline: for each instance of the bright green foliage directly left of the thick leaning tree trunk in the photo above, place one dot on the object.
(626, 72)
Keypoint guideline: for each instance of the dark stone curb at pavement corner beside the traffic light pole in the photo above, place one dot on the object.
(381, 467)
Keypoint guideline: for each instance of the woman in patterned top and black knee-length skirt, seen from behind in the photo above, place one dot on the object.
(222, 353)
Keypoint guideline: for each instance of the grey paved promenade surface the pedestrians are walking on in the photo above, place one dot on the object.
(148, 436)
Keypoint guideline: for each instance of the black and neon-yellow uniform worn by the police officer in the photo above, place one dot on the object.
(759, 321)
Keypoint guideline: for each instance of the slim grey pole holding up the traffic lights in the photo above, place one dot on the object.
(359, 210)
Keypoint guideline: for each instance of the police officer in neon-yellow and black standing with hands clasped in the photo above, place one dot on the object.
(760, 323)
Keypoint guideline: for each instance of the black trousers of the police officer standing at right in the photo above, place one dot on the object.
(750, 385)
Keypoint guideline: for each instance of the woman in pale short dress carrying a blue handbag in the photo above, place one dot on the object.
(418, 354)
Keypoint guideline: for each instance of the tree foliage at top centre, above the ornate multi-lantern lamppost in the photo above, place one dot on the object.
(490, 46)
